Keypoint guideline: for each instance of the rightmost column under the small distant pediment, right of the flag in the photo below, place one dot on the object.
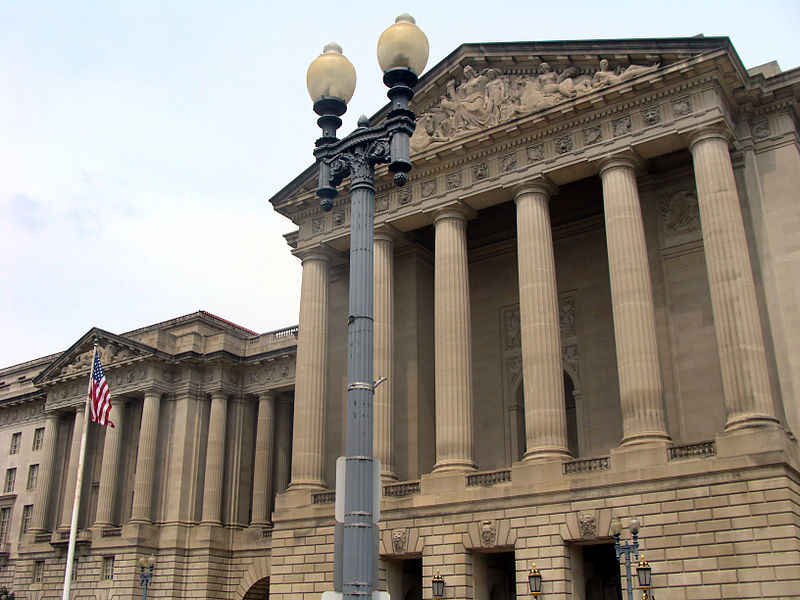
(146, 458)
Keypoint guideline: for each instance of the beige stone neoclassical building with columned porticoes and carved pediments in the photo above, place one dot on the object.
(587, 308)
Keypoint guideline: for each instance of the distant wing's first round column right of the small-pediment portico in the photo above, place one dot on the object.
(215, 460)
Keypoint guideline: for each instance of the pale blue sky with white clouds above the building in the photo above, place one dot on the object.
(140, 141)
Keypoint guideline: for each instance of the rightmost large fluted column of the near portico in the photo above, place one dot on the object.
(740, 342)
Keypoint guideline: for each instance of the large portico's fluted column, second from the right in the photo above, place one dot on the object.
(639, 370)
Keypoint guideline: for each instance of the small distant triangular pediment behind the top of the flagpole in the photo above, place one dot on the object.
(114, 350)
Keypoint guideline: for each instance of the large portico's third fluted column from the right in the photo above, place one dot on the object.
(545, 414)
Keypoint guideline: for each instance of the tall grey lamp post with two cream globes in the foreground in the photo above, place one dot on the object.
(331, 79)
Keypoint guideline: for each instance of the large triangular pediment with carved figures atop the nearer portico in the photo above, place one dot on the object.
(484, 88)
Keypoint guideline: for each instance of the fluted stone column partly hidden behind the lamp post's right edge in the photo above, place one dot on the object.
(383, 364)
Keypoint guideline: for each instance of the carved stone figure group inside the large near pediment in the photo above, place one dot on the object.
(490, 97)
